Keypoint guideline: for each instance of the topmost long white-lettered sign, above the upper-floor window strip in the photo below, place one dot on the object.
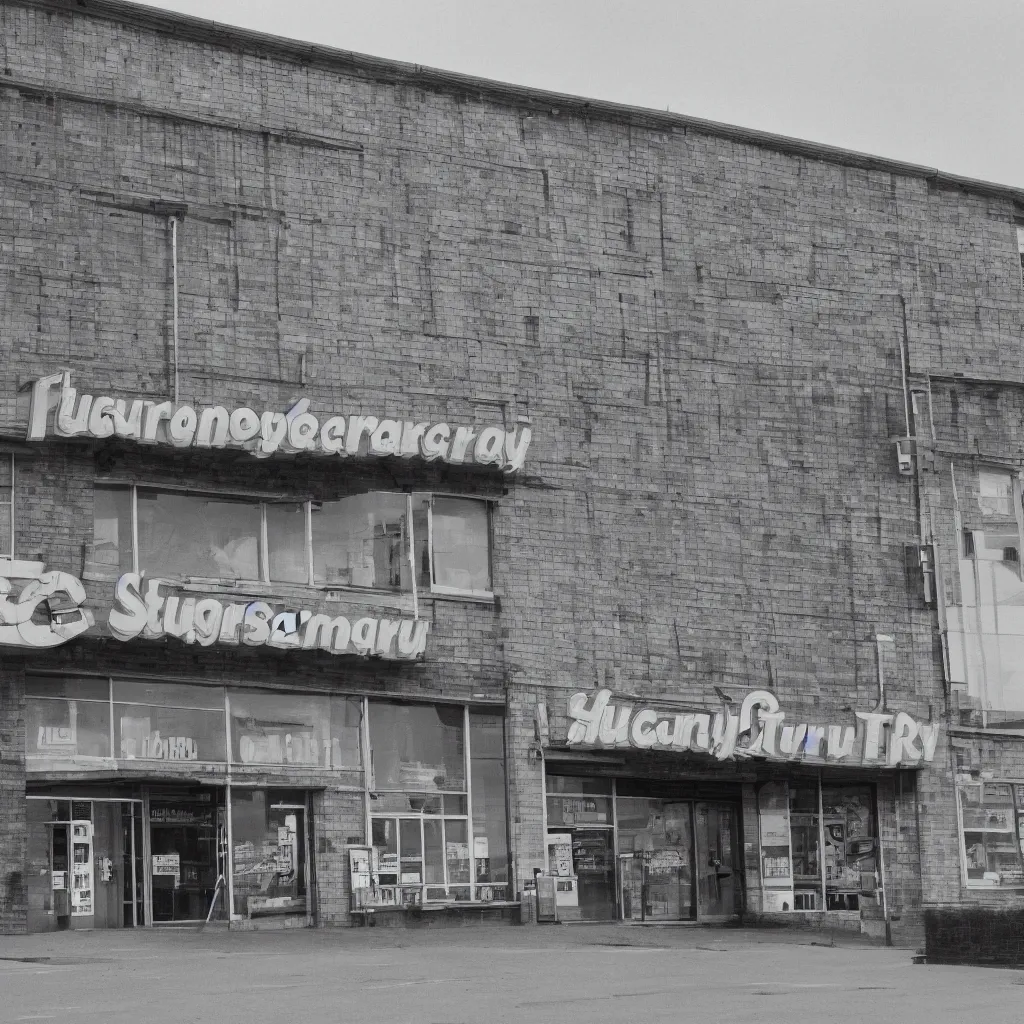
(59, 408)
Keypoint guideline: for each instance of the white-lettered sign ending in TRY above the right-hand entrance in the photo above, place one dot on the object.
(879, 739)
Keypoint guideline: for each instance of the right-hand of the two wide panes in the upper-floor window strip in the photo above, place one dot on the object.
(361, 542)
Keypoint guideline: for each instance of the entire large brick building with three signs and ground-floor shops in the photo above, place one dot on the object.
(411, 483)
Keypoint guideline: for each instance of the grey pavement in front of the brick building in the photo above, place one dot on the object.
(490, 974)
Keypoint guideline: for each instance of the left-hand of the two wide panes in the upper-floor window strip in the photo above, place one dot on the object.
(193, 536)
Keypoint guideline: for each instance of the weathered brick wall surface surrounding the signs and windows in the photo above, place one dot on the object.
(707, 330)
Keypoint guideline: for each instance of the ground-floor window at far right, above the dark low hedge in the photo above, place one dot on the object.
(993, 821)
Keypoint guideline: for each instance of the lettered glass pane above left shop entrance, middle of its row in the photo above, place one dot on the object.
(155, 734)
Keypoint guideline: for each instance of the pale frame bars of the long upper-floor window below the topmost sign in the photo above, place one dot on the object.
(264, 556)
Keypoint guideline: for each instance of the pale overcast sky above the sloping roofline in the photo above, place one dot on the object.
(932, 82)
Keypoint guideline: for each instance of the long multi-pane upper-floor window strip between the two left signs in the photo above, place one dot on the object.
(380, 540)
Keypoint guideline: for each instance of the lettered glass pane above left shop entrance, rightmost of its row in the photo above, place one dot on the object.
(280, 730)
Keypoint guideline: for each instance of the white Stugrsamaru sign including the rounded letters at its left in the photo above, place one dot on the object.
(152, 608)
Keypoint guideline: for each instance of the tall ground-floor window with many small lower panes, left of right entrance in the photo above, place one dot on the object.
(430, 844)
